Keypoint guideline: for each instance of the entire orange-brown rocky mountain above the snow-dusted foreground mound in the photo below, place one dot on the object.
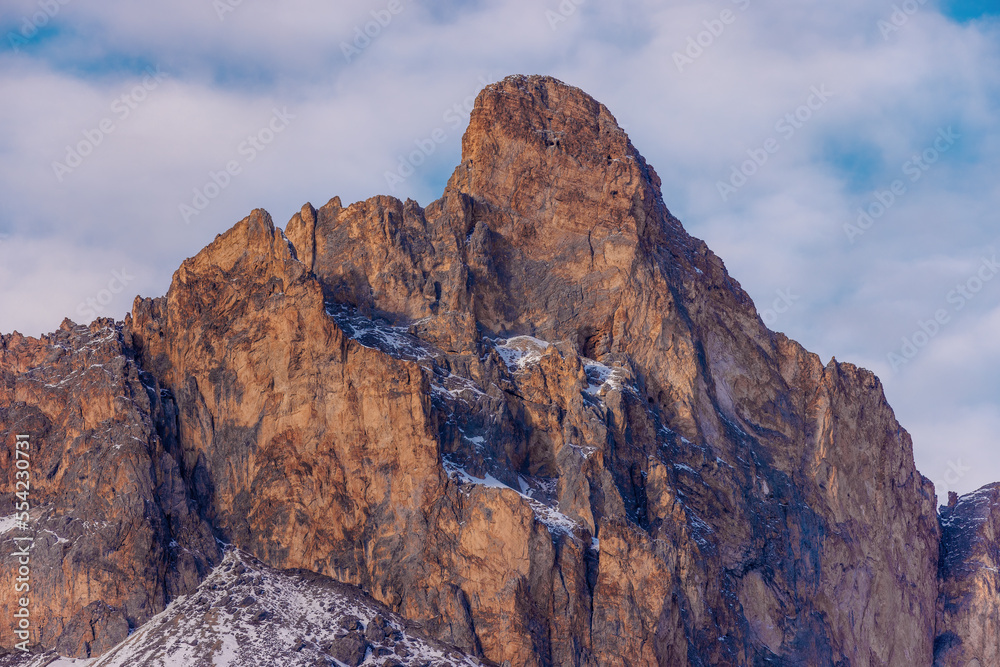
(536, 417)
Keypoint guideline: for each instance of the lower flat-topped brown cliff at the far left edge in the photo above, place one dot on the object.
(113, 532)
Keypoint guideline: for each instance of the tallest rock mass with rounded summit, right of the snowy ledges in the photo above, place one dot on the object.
(721, 437)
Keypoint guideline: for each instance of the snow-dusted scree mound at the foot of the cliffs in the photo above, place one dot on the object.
(246, 614)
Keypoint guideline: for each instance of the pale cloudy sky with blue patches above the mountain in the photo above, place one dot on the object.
(842, 159)
